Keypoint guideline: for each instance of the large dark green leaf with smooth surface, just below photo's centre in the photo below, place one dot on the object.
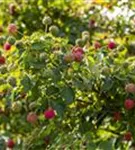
(68, 94)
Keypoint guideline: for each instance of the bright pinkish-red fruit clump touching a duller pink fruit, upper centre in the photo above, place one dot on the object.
(78, 54)
